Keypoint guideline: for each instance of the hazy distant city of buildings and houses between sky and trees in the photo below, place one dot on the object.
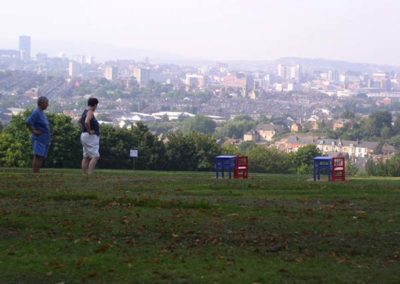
(293, 95)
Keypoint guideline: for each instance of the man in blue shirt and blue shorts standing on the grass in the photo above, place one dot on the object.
(40, 129)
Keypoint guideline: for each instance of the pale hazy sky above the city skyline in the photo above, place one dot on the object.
(354, 30)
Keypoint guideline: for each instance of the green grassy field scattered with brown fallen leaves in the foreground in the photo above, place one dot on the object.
(164, 227)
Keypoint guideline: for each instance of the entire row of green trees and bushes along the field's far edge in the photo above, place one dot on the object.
(178, 151)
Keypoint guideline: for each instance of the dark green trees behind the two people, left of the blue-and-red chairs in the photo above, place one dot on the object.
(176, 151)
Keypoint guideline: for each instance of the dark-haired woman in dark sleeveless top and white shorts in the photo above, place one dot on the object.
(90, 137)
